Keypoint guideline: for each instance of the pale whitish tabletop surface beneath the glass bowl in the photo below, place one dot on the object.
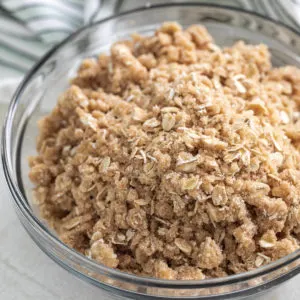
(27, 273)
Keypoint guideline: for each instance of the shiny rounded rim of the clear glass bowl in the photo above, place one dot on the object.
(20, 199)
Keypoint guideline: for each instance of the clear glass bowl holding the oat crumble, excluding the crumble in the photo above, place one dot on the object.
(37, 95)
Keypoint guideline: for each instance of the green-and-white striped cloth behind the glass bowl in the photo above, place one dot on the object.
(28, 28)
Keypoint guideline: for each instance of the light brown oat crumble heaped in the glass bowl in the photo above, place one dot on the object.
(174, 158)
